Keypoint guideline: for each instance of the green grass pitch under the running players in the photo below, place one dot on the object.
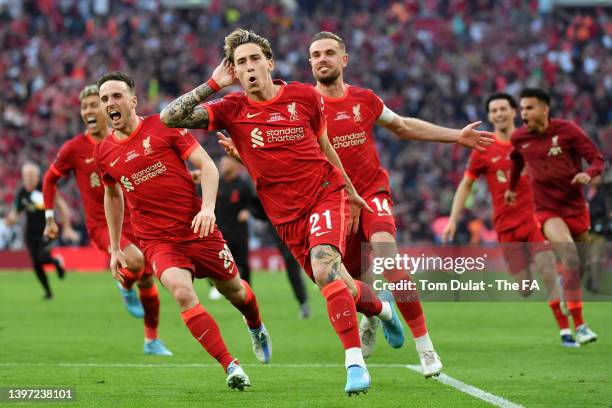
(85, 339)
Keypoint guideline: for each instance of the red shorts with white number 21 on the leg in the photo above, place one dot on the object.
(325, 224)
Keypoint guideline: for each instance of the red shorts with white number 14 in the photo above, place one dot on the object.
(381, 220)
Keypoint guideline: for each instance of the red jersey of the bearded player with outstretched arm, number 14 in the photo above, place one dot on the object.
(350, 121)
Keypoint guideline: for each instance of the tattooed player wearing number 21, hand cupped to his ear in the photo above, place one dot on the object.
(279, 133)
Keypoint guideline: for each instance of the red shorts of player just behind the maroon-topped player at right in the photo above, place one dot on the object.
(519, 246)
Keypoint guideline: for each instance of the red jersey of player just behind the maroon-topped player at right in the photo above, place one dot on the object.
(494, 163)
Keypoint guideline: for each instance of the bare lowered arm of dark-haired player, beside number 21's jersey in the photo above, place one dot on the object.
(204, 221)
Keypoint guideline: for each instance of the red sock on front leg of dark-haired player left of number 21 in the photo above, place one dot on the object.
(205, 330)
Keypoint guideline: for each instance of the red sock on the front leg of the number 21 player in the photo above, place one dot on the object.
(342, 313)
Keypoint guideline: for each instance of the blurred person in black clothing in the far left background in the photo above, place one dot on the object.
(29, 199)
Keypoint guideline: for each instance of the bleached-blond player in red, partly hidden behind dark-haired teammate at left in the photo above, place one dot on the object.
(76, 156)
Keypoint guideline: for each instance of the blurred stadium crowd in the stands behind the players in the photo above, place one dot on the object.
(432, 59)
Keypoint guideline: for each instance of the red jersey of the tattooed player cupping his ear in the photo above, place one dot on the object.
(278, 143)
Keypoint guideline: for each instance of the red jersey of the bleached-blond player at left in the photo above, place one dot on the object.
(77, 155)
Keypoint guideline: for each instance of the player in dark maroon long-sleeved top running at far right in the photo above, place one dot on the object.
(553, 150)
